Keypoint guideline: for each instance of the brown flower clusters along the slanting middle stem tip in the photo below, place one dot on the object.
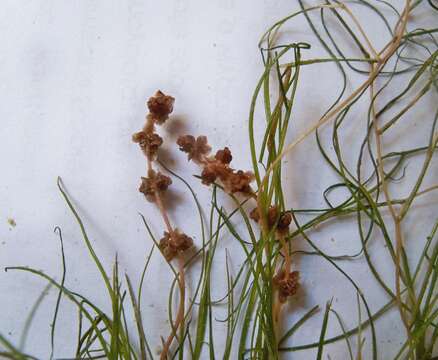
(216, 167)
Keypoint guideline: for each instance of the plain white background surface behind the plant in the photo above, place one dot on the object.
(74, 77)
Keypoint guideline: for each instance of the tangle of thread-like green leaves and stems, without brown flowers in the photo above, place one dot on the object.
(250, 328)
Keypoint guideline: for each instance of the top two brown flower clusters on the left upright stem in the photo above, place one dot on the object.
(160, 106)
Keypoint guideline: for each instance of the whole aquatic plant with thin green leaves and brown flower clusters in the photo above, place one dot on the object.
(389, 81)
